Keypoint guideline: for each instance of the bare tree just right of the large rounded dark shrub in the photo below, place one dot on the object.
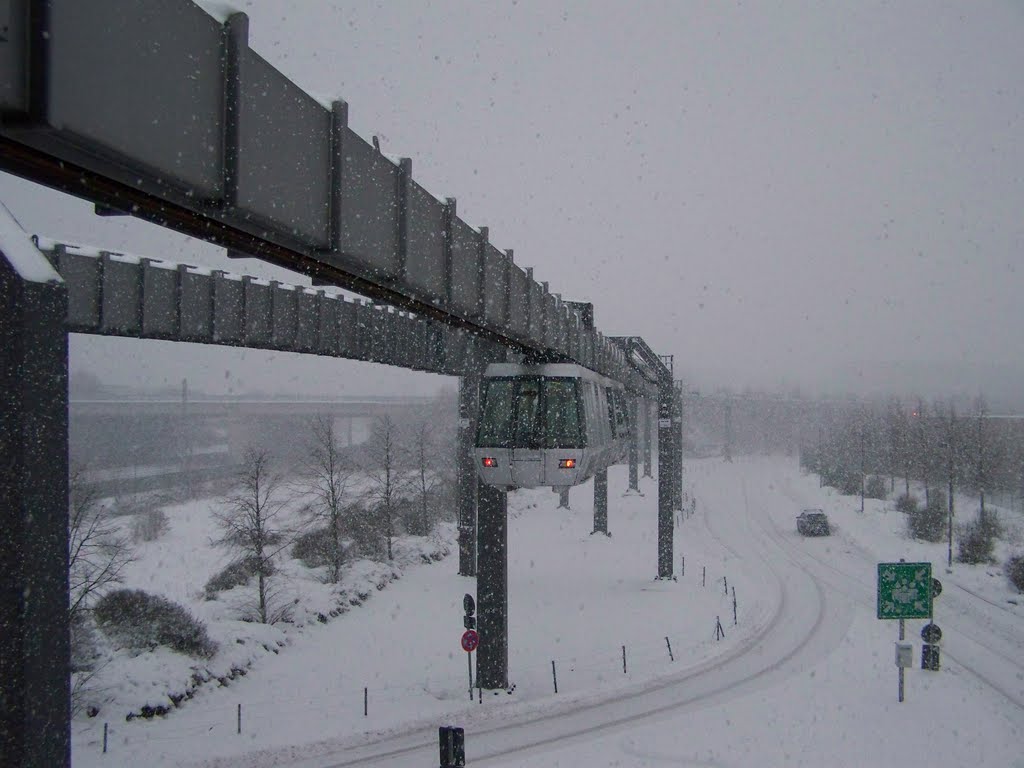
(252, 524)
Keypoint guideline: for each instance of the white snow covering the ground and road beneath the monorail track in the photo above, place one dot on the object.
(806, 677)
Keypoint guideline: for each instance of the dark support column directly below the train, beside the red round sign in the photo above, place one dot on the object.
(492, 589)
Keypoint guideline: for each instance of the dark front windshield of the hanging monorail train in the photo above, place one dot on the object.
(532, 412)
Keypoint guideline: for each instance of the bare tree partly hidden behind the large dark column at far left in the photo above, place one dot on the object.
(98, 551)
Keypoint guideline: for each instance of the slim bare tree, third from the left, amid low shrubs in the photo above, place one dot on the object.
(330, 480)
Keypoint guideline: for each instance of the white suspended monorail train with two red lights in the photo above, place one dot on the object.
(553, 424)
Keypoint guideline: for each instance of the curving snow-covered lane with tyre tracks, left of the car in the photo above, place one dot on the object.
(805, 624)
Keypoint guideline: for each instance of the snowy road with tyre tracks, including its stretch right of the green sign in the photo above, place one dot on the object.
(816, 590)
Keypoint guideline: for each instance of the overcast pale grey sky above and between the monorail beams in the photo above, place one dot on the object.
(778, 194)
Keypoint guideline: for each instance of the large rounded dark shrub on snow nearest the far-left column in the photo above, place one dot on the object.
(142, 621)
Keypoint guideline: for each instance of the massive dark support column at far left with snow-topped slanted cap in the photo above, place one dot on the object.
(35, 647)
